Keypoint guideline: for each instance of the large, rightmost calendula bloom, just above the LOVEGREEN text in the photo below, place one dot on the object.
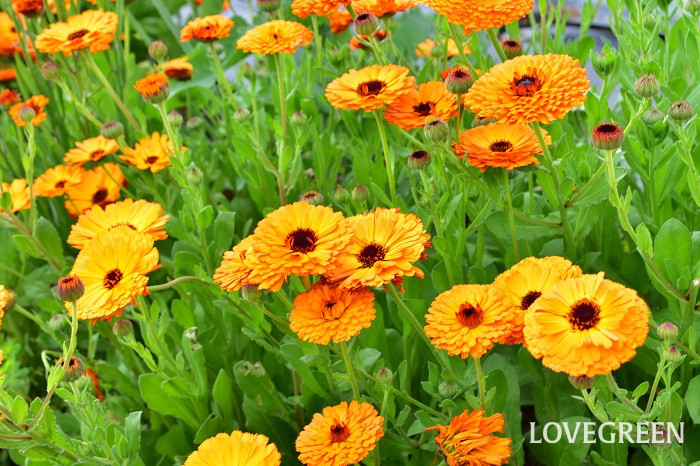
(586, 326)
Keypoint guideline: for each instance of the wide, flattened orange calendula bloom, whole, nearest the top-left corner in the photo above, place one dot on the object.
(91, 29)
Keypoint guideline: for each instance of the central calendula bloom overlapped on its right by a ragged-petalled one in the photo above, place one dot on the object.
(297, 239)
